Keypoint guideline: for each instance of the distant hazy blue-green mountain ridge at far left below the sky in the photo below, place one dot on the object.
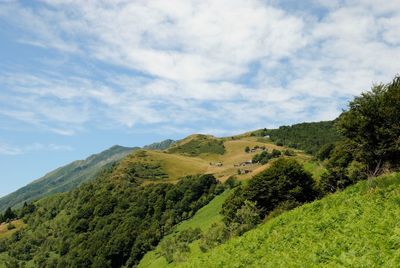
(65, 178)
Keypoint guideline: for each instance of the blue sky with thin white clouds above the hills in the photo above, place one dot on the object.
(77, 77)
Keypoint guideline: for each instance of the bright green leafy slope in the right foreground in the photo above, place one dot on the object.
(358, 227)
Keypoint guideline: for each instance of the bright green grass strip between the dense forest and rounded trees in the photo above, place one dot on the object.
(203, 219)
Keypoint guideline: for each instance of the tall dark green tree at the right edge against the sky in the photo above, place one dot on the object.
(372, 126)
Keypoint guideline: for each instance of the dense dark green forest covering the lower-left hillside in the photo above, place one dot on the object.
(110, 222)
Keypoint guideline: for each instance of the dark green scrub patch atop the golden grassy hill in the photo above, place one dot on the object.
(199, 145)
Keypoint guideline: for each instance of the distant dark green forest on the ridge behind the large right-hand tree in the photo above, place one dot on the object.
(309, 137)
